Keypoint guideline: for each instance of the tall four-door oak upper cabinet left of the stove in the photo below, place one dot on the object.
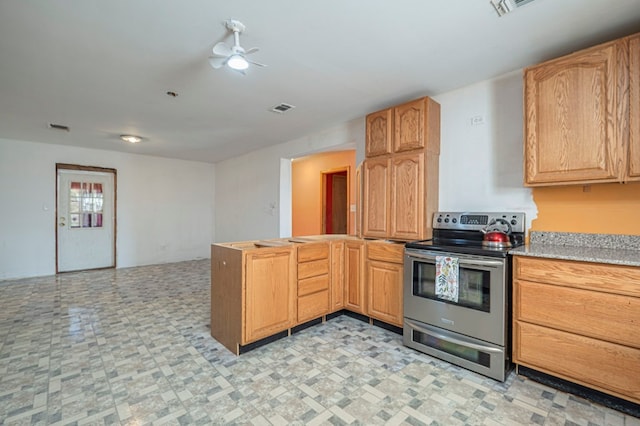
(400, 174)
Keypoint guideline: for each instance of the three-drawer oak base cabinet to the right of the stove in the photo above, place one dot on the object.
(579, 321)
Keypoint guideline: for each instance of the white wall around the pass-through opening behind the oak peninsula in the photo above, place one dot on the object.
(248, 188)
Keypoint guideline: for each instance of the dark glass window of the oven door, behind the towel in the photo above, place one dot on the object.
(473, 286)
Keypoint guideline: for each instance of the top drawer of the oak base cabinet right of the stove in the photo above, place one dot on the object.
(591, 276)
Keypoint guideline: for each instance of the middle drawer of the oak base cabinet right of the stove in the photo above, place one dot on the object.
(605, 316)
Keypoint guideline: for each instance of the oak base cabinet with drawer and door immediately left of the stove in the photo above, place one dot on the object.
(384, 281)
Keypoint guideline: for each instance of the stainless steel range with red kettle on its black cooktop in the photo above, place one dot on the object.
(457, 290)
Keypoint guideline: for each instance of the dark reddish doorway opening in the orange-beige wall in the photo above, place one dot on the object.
(335, 201)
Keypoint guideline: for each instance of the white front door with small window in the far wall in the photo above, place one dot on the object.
(85, 225)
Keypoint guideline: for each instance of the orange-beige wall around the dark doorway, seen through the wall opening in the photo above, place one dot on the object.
(306, 189)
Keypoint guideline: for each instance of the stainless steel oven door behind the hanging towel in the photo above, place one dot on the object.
(481, 306)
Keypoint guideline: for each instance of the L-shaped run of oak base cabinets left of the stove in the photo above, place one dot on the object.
(265, 290)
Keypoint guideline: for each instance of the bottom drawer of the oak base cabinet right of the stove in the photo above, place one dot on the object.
(602, 365)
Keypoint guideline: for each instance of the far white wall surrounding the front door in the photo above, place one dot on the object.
(165, 207)
